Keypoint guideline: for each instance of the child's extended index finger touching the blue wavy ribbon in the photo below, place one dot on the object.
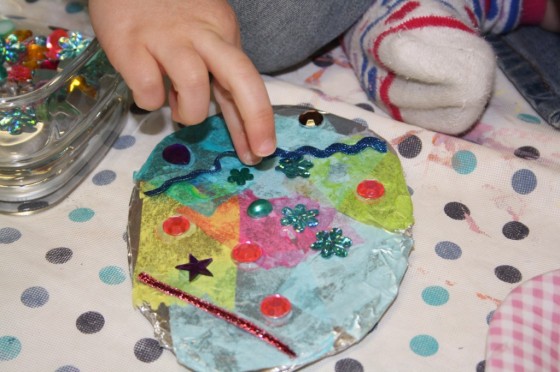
(237, 75)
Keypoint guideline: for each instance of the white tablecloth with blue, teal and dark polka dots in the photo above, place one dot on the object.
(486, 210)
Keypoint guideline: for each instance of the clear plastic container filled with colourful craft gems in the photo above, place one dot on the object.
(61, 107)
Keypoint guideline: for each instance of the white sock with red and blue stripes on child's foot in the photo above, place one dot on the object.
(424, 61)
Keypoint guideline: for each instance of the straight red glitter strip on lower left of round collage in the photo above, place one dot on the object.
(218, 312)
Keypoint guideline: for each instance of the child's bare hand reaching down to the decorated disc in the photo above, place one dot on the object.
(186, 40)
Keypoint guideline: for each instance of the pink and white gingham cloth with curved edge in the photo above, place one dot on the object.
(524, 332)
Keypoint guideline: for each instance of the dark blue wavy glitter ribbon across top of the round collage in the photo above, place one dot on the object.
(366, 142)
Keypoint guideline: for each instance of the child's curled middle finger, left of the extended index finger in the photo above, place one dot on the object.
(191, 83)
